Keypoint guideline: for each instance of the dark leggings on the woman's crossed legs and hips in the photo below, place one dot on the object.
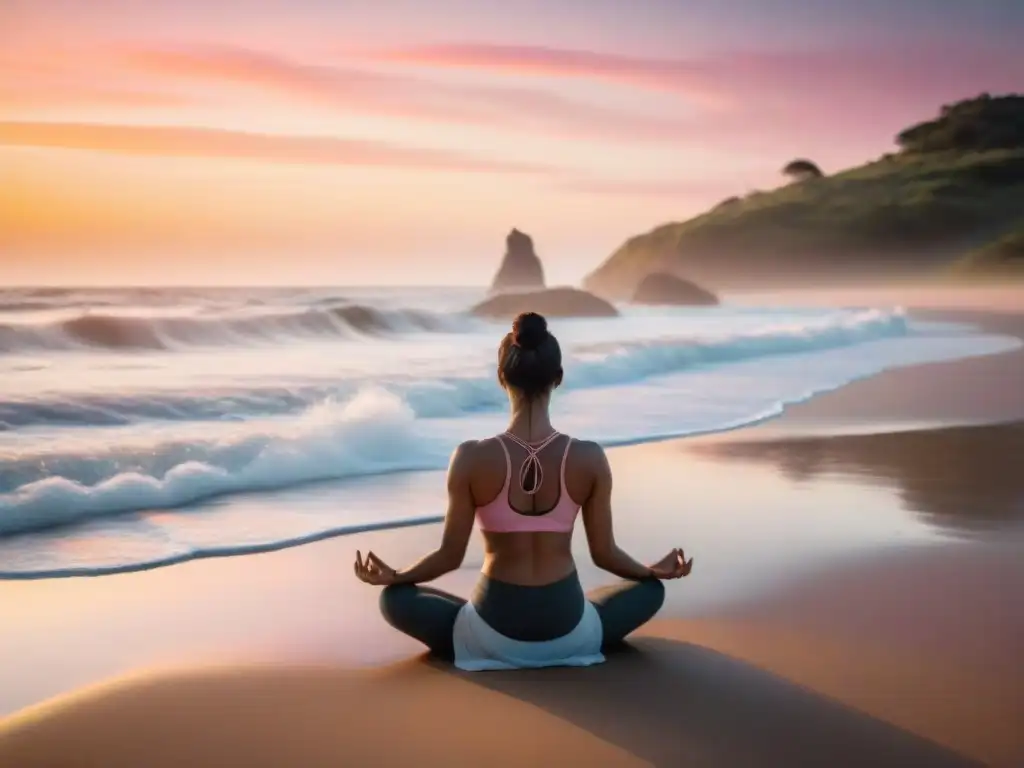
(429, 614)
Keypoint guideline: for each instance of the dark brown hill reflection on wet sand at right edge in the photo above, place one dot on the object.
(967, 480)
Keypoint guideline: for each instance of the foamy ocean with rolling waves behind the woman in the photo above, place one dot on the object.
(130, 416)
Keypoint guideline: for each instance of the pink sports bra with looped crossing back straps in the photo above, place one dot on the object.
(500, 518)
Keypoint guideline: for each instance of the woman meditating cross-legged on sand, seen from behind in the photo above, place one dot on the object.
(525, 488)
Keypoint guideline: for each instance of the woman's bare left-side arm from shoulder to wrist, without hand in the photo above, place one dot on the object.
(458, 525)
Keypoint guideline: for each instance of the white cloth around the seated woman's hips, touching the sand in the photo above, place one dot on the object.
(480, 648)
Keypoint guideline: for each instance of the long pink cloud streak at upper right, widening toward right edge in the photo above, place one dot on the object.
(922, 72)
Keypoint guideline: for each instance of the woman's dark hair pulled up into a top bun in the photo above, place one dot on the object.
(530, 359)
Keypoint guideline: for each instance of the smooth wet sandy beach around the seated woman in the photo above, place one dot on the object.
(856, 602)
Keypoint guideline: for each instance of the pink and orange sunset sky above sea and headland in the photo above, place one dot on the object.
(398, 142)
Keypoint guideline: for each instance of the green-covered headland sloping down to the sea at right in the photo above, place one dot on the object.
(956, 185)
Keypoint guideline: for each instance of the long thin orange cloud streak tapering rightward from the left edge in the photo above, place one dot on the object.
(206, 143)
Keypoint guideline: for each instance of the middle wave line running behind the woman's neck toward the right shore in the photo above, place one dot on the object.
(595, 366)
